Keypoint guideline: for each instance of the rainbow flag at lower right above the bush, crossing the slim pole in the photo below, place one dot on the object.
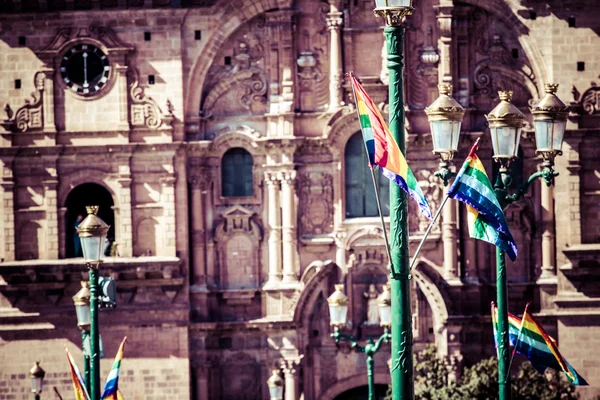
(528, 338)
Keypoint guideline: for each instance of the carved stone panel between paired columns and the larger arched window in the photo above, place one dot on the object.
(316, 203)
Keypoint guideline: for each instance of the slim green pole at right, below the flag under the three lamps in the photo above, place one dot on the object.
(503, 353)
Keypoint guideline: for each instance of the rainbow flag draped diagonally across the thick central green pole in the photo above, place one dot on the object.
(382, 148)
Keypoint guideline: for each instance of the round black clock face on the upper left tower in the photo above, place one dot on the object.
(85, 69)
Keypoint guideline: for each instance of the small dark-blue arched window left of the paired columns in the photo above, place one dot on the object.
(236, 173)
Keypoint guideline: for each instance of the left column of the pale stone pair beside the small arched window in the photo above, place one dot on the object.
(274, 221)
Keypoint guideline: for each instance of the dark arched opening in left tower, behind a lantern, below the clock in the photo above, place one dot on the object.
(83, 195)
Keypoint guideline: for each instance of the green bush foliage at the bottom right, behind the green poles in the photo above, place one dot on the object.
(480, 381)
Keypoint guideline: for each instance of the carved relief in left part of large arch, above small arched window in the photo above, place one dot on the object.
(241, 79)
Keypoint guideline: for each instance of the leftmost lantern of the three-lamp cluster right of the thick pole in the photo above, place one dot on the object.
(445, 117)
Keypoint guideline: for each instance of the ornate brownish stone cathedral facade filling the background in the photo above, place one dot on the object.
(220, 140)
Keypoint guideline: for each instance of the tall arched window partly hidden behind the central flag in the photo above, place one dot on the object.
(360, 196)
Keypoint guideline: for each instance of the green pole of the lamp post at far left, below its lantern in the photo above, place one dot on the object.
(94, 335)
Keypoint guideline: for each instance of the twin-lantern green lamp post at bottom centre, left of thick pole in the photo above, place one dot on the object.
(338, 309)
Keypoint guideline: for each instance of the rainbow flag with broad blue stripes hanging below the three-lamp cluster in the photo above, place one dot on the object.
(486, 219)
